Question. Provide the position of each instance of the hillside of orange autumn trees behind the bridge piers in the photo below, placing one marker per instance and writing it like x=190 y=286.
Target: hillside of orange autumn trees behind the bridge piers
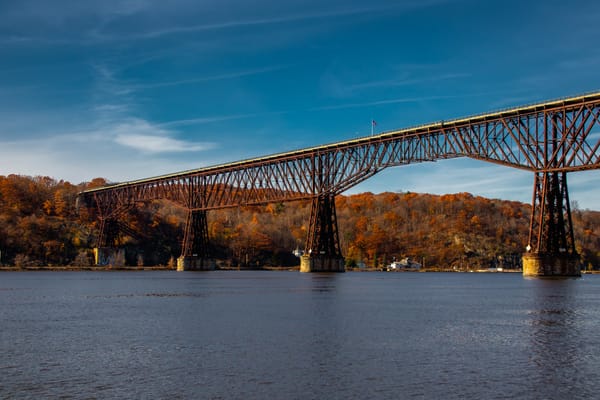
x=41 y=225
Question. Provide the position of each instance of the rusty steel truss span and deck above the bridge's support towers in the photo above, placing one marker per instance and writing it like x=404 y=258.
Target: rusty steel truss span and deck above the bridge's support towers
x=556 y=136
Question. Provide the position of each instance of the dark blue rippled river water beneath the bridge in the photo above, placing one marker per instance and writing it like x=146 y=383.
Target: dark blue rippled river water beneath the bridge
x=288 y=335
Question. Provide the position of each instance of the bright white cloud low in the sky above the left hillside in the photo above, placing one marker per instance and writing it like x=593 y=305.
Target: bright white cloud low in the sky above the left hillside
x=116 y=150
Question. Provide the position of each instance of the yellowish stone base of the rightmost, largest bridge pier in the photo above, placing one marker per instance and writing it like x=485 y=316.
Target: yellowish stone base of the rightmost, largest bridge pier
x=550 y=265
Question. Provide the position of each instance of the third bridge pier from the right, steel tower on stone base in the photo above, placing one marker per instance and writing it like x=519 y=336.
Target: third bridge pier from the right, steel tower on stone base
x=195 y=252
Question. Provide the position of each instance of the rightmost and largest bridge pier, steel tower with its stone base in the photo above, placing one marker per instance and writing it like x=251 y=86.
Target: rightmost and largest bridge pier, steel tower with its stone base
x=551 y=249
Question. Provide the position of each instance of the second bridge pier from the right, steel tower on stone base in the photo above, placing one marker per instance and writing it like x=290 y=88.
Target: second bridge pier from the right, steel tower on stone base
x=323 y=245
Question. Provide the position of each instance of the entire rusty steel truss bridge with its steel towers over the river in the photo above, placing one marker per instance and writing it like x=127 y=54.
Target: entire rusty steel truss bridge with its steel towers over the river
x=549 y=139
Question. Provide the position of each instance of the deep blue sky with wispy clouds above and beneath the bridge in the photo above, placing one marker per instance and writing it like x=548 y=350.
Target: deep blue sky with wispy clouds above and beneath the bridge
x=132 y=89
